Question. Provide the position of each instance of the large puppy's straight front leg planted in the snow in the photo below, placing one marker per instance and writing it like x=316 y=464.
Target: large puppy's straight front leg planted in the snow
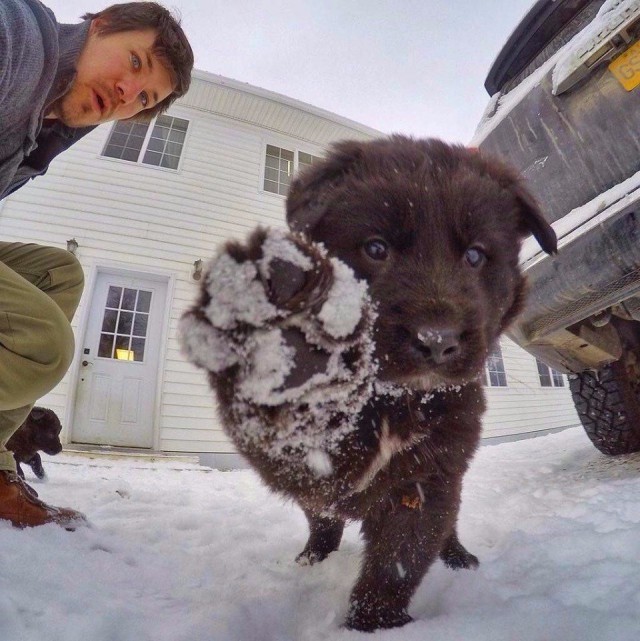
x=401 y=543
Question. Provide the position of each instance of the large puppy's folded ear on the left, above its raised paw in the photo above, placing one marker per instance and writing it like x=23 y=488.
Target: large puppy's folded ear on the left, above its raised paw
x=311 y=192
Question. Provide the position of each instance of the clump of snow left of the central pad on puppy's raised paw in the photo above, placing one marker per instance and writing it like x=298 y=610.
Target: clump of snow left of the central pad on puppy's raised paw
x=271 y=360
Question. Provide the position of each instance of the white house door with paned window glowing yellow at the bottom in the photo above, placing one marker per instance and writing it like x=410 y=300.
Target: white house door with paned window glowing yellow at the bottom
x=115 y=398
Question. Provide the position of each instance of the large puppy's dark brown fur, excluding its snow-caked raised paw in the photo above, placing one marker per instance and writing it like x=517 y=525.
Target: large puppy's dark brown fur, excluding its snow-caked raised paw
x=435 y=232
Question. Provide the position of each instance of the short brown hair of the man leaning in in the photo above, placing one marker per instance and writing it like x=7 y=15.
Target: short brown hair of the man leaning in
x=171 y=46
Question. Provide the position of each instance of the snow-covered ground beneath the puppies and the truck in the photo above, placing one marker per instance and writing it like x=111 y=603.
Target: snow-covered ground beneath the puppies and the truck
x=178 y=552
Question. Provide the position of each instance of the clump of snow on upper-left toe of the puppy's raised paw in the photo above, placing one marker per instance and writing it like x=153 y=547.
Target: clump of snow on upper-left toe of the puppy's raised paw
x=236 y=294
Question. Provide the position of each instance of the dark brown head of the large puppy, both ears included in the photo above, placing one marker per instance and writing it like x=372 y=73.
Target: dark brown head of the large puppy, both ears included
x=435 y=230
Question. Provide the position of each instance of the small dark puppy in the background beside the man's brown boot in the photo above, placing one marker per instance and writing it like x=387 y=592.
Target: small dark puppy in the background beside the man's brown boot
x=40 y=431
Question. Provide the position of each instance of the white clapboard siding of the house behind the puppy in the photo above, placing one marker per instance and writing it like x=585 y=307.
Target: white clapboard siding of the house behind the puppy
x=152 y=220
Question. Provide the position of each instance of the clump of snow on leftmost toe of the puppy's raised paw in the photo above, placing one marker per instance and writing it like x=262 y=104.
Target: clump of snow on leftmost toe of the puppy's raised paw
x=204 y=345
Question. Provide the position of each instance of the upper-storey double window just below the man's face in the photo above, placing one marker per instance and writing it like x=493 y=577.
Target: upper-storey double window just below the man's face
x=162 y=143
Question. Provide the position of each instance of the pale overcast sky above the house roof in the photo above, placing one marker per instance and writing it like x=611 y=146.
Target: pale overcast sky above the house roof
x=400 y=66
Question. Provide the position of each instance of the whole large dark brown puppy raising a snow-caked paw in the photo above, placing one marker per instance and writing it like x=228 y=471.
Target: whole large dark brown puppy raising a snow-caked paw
x=374 y=419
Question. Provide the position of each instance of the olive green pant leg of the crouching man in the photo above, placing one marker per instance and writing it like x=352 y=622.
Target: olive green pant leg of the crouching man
x=40 y=288
